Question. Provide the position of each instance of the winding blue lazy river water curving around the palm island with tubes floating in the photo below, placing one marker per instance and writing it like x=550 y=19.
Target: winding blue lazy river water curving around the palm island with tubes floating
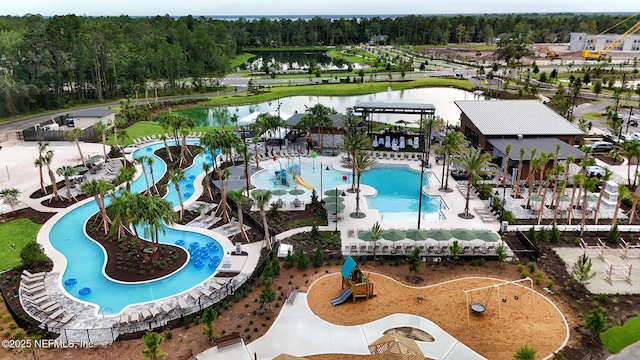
x=85 y=259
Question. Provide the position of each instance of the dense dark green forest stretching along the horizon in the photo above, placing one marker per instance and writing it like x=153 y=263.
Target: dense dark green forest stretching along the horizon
x=59 y=61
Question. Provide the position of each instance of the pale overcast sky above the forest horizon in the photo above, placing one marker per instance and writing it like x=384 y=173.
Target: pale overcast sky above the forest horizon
x=306 y=7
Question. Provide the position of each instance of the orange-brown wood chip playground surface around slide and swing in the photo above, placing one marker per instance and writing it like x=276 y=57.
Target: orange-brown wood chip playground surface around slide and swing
x=492 y=335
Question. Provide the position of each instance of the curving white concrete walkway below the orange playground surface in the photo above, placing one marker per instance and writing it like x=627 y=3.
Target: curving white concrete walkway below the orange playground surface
x=300 y=332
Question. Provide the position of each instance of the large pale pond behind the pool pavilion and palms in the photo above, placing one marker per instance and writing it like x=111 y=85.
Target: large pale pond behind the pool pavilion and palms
x=441 y=98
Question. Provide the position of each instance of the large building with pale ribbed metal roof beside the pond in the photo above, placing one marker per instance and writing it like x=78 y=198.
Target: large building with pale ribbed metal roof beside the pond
x=525 y=124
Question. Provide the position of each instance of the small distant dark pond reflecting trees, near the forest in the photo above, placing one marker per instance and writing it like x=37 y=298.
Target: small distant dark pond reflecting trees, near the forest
x=294 y=61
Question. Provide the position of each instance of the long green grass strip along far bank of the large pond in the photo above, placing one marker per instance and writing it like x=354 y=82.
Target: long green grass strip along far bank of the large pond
x=334 y=90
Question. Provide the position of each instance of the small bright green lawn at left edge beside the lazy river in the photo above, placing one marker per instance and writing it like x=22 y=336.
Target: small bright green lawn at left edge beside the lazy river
x=18 y=232
